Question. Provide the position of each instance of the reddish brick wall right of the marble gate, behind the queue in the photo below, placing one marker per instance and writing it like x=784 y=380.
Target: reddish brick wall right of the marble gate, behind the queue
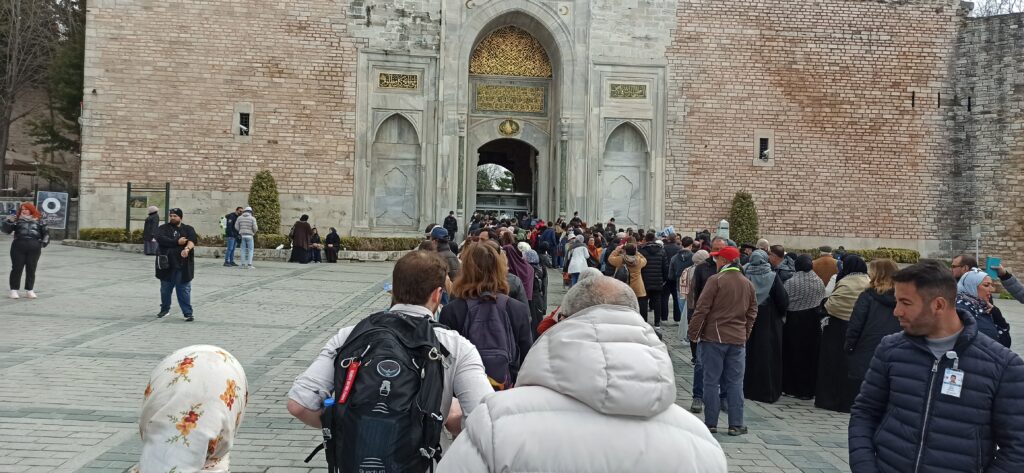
x=849 y=92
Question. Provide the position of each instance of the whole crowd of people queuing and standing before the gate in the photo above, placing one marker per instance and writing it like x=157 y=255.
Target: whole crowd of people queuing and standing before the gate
x=466 y=369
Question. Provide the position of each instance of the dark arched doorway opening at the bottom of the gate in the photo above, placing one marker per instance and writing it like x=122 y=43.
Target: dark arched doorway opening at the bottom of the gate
x=494 y=194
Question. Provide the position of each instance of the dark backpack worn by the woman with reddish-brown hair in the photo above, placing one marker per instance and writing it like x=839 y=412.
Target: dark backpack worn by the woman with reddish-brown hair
x=488 y=327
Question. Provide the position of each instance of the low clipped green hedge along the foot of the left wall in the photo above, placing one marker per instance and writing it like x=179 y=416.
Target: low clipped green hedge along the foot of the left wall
x=266 y=241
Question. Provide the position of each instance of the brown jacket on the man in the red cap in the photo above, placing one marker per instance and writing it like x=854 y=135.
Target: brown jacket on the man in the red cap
x=727 y=310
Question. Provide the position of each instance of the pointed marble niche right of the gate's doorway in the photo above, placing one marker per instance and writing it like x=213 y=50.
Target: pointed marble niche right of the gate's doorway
x=624 y=177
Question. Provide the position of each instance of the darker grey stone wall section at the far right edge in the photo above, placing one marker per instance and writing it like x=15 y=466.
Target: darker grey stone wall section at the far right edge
x=989 y=140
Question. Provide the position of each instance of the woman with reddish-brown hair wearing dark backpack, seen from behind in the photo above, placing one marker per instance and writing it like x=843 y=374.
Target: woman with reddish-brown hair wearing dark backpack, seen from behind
x=483 y=312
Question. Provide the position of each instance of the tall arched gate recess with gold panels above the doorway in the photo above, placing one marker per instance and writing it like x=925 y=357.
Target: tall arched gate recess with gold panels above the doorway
x=510 y=118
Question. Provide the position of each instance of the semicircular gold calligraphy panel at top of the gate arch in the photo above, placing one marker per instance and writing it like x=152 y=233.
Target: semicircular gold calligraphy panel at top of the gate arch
x=510 y=52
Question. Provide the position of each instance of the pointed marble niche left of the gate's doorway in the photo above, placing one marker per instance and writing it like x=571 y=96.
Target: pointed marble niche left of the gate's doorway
x=395 y=175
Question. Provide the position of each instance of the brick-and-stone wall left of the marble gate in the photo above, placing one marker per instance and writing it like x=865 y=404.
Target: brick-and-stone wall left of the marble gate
x=164 y=83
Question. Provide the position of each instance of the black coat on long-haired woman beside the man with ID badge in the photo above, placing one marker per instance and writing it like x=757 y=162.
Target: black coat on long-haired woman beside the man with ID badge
x=873 y=320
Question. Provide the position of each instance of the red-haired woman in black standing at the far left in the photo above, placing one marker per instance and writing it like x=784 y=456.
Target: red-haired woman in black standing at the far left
x=30 y=239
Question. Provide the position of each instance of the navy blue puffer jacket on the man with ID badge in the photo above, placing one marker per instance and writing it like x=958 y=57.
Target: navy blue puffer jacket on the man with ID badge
x=901 y=401
